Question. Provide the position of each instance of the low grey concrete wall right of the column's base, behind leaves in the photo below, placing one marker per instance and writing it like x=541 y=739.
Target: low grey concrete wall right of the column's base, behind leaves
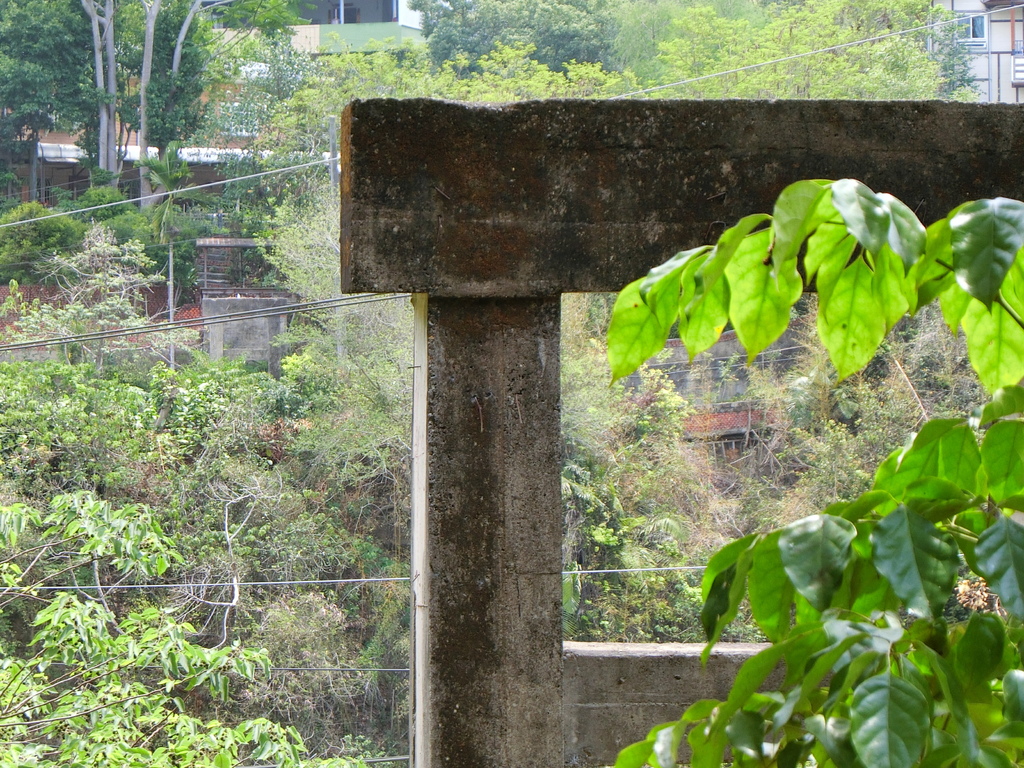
x=616 y=693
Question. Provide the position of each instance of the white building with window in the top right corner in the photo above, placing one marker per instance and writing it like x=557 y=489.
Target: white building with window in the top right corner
x=994 y=32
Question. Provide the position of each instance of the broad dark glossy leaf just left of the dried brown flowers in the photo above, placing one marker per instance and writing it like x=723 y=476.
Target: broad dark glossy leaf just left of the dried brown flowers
x=919 y=561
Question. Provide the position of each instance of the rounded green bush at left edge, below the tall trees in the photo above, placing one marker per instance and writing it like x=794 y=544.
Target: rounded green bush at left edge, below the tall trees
x=25 y=249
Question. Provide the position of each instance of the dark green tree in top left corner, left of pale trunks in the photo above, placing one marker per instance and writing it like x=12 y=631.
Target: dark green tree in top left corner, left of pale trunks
x=42 y=76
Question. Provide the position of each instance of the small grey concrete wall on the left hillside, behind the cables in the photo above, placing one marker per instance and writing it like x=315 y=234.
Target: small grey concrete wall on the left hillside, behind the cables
x=250 y=339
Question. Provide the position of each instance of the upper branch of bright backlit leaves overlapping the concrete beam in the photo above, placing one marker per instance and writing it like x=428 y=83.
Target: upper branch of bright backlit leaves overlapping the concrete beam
x=871 y=262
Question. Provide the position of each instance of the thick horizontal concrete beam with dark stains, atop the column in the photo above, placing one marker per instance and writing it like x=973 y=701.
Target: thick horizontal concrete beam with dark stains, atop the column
x=550 y=197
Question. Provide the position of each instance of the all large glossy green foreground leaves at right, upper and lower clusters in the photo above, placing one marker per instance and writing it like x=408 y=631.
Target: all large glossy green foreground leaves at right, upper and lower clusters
x=854 y=600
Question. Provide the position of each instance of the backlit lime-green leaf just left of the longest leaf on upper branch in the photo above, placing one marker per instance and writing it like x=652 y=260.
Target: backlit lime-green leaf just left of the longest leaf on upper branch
x=759 y=305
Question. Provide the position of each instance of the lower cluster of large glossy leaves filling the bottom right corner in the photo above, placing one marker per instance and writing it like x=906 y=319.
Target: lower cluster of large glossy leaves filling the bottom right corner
x=906 y=688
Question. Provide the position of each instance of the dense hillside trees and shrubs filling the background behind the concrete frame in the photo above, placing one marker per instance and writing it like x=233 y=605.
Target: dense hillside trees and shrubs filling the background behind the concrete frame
x=237 y=482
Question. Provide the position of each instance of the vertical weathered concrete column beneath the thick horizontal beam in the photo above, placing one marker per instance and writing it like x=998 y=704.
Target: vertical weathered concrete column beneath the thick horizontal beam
x=489 y=679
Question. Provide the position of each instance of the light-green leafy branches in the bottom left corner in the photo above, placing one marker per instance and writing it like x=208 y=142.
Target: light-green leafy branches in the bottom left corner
x=98 y=688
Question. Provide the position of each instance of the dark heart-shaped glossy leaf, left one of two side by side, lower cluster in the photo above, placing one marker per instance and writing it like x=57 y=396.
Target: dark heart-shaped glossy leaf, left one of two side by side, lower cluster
x=816 y=552
